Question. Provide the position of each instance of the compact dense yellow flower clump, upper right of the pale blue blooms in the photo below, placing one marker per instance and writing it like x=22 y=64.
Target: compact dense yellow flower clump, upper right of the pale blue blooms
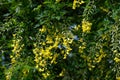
x=86 y=26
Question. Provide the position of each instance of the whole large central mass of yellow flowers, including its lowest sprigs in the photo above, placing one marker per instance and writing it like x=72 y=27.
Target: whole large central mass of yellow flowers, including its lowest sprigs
x=45 y=51
